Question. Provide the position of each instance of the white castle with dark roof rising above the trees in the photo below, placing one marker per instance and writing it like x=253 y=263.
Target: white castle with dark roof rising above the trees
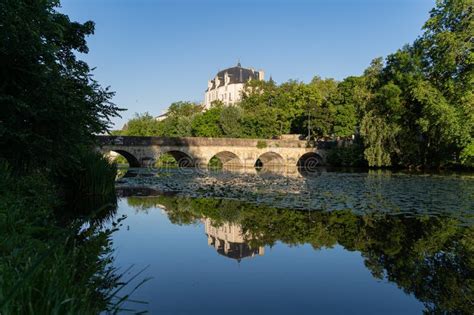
x=228 y=84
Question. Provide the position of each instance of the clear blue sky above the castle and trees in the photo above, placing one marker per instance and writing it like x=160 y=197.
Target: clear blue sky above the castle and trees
x=154 y=52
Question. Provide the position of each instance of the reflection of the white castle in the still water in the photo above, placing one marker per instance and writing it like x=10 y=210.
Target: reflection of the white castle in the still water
x=228 y=240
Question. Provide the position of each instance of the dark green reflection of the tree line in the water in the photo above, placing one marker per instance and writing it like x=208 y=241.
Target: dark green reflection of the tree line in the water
x=430 y=257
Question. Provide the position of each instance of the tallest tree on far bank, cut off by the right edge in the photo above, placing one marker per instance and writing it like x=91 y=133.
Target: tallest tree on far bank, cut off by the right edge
x=448 y=57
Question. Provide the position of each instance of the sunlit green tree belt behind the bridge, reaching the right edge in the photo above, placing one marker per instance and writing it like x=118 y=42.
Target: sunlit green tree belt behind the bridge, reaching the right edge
x=413 y=109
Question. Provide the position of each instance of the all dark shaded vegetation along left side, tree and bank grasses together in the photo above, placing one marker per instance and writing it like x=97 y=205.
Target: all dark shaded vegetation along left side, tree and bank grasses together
x=55 y=193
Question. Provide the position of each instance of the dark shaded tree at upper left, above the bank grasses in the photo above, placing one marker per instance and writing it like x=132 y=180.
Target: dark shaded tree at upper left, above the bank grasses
x=49 y=99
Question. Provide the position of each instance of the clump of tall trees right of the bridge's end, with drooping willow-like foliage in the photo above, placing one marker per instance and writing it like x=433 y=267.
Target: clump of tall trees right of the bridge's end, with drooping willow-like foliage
x=420 y=113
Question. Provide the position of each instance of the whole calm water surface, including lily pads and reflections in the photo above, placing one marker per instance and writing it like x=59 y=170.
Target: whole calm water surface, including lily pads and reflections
x=325 y=243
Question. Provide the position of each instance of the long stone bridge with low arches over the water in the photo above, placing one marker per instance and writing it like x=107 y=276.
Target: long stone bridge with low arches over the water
x=196 y=151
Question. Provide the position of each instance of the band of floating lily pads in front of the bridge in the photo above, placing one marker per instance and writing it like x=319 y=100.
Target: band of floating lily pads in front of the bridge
x=362 y=192
